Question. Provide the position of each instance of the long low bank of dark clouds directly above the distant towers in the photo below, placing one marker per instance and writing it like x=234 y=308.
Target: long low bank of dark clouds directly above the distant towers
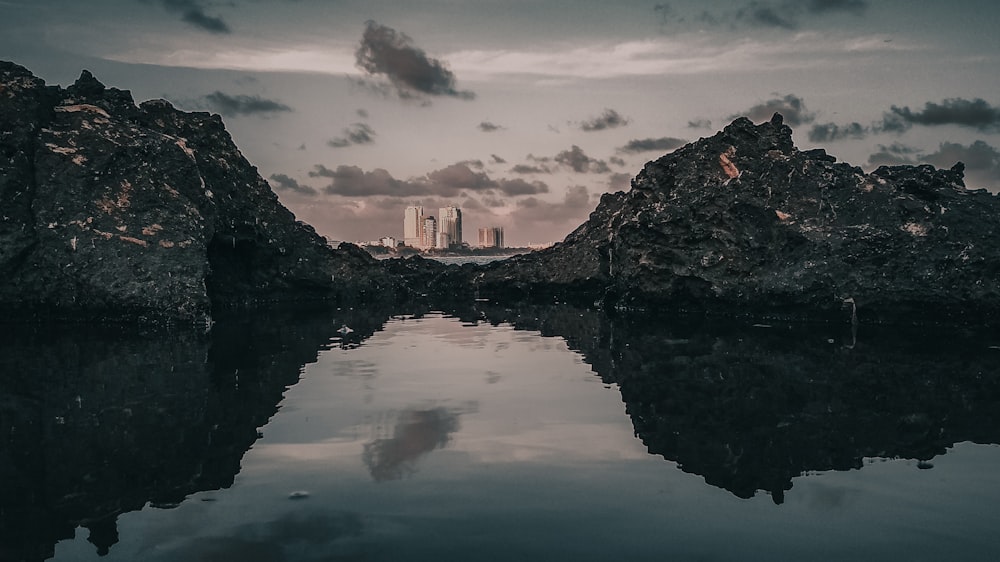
x=450 y=181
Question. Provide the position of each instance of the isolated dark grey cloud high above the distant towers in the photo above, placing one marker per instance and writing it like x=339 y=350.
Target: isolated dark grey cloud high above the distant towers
x=386 y=52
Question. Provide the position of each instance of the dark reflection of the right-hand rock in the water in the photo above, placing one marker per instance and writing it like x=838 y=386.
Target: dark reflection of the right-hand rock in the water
x=751 y=408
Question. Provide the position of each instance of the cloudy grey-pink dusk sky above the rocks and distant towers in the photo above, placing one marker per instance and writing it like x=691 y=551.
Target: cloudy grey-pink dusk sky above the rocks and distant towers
x=522 y=113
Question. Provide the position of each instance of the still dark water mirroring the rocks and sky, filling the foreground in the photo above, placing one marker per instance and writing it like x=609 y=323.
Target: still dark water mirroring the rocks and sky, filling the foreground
x=497 y=434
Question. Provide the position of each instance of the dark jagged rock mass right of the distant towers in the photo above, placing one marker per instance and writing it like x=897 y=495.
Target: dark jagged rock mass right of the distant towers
x=745 y=223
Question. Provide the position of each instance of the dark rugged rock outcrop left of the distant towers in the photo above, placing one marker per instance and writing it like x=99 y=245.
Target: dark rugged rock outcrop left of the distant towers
x=112 y=210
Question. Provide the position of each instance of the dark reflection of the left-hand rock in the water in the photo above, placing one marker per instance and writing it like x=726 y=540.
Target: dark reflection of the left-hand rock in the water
x=97 y=422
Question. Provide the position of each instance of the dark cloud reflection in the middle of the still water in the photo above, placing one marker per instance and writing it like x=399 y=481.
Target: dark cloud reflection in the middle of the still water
x=415 y=433
